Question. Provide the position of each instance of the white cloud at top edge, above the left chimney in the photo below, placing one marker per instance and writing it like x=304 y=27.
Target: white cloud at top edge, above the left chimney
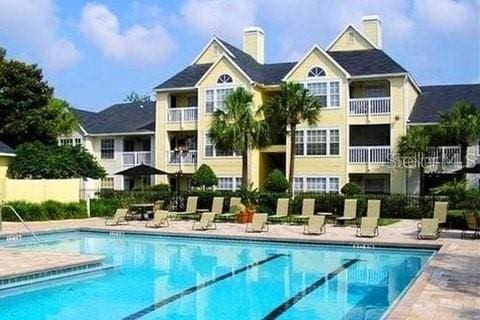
x=225 y=18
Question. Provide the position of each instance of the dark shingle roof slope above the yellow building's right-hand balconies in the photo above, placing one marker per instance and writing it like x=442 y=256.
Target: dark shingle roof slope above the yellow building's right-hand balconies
x=366 y=62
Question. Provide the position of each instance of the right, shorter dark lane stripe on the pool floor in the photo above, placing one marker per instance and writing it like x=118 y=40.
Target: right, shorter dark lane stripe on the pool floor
x=279 y=310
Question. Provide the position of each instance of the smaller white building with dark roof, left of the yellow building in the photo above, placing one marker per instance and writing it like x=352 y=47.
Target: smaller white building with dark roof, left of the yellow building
x=120 y=137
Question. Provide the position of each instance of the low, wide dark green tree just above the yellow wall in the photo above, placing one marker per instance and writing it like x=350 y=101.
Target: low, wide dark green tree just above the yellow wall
x=39 y=161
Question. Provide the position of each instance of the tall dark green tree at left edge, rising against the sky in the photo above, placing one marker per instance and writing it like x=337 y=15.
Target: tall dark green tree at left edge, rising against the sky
x=27 y=110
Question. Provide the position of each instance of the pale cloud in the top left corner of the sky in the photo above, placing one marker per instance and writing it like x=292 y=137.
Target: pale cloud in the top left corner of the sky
x=35 y=23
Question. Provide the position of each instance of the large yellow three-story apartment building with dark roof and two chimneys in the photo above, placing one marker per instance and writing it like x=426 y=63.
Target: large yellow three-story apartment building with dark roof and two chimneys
x=370 y=102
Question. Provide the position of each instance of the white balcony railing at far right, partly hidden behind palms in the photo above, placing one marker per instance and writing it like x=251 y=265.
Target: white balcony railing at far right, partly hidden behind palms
x=445 y=158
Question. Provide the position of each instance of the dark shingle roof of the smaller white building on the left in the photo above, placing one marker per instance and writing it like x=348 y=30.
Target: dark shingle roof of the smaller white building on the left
x=123 y=117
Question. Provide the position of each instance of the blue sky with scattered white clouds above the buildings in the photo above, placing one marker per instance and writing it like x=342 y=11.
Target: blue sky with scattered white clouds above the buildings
x=95 y=52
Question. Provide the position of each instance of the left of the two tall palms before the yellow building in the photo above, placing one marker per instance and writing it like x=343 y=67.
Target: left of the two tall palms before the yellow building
x=237 y=127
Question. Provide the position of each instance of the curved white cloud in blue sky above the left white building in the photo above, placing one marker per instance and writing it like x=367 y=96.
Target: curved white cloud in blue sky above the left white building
x=137 y=45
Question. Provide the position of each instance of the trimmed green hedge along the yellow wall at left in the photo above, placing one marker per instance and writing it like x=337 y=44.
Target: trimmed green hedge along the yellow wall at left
x=49 y=210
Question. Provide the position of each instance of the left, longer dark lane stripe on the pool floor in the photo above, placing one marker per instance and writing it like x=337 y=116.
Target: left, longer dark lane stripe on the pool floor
x=205 y=284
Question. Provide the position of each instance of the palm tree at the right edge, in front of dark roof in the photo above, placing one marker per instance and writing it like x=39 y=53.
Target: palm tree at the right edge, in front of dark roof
x=462 y=123
